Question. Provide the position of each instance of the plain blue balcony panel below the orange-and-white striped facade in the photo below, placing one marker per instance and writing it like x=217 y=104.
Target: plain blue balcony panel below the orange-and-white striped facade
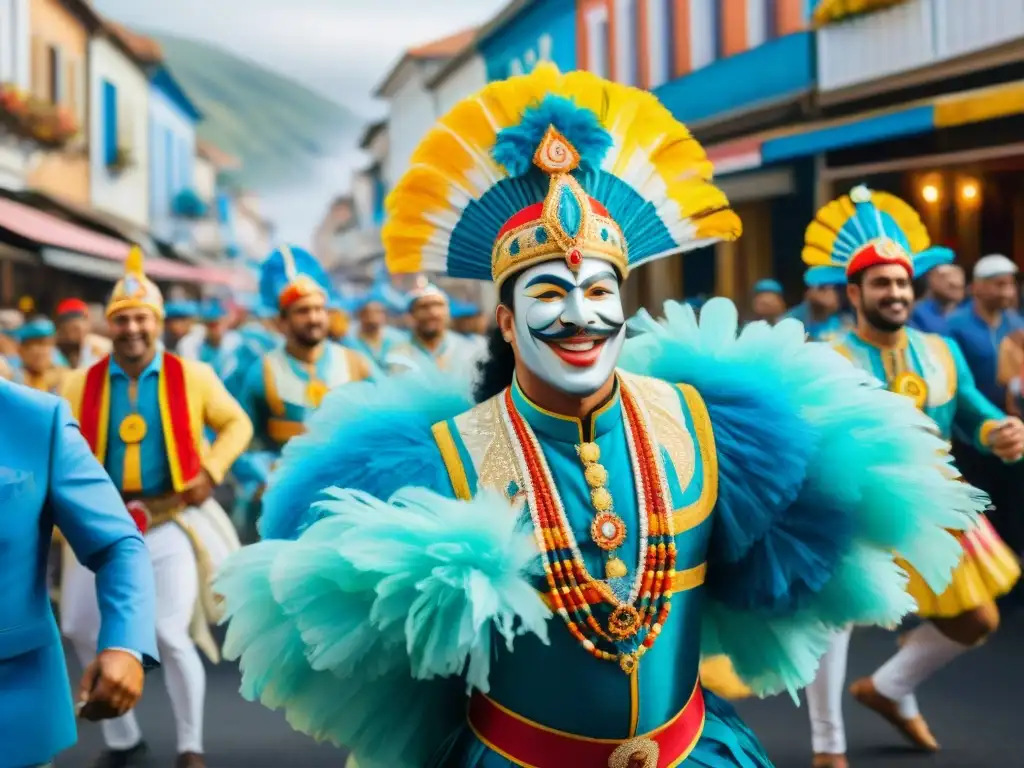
x=779 y=71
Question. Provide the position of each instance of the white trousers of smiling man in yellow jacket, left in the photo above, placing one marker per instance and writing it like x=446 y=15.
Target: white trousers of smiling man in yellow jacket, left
x=178 y=589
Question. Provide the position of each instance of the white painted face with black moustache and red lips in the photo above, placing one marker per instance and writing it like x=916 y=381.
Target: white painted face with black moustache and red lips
x=570 y=327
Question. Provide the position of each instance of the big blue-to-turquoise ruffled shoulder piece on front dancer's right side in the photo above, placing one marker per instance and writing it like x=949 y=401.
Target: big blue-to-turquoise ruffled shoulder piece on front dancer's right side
x=823 y=475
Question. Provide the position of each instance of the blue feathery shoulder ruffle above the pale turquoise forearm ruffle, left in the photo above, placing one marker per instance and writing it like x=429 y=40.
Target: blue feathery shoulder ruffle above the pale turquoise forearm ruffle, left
x=373 y=437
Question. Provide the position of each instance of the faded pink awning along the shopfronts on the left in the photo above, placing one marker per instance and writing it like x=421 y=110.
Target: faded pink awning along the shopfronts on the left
x=67 y=240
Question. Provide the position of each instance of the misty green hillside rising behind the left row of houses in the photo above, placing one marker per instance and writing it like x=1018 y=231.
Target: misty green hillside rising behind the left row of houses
x=278 y=127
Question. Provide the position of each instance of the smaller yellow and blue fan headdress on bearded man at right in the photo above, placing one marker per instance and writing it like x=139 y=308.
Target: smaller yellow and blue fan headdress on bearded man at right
x=866 y=229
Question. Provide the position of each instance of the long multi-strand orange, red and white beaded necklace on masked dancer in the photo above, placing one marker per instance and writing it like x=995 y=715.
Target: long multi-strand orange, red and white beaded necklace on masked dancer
x=634 y=623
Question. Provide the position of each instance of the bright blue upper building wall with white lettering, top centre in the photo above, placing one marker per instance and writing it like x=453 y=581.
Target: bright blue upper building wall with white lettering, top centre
x=546 y=29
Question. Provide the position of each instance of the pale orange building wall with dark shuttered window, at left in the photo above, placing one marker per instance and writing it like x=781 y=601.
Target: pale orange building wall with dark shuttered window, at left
x=64 y=174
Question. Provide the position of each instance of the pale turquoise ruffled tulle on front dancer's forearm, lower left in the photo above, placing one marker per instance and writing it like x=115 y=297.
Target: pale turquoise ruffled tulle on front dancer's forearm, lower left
x=378 y=607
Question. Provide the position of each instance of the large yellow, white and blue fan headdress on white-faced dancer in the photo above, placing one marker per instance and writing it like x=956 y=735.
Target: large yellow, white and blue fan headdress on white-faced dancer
x=547 y=166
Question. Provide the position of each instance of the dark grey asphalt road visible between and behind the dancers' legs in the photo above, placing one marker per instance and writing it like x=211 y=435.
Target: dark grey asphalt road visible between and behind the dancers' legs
x=972 y=707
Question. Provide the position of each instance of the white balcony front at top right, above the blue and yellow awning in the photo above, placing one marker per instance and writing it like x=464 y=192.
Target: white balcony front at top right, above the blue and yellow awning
x=912 y=36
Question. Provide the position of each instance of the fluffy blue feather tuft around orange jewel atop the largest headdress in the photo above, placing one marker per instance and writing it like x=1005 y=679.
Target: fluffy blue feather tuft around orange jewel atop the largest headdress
x=516 y=147
